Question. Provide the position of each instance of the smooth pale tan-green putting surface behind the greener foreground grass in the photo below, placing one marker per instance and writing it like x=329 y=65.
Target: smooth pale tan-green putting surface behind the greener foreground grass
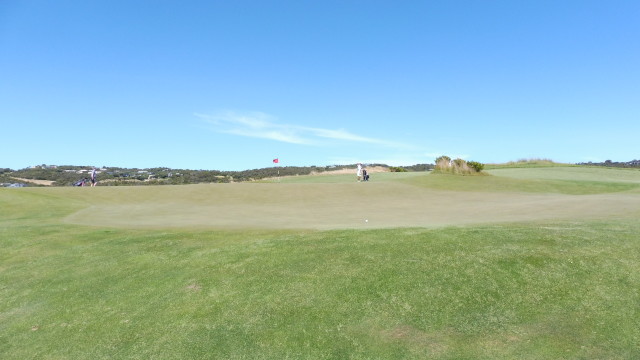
x=338 y=202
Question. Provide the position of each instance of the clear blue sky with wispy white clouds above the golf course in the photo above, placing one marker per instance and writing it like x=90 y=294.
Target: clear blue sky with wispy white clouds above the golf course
x=231 y=85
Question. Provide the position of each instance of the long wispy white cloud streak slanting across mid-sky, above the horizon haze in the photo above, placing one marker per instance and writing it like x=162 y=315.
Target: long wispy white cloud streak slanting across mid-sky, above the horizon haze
x=264 y=126
